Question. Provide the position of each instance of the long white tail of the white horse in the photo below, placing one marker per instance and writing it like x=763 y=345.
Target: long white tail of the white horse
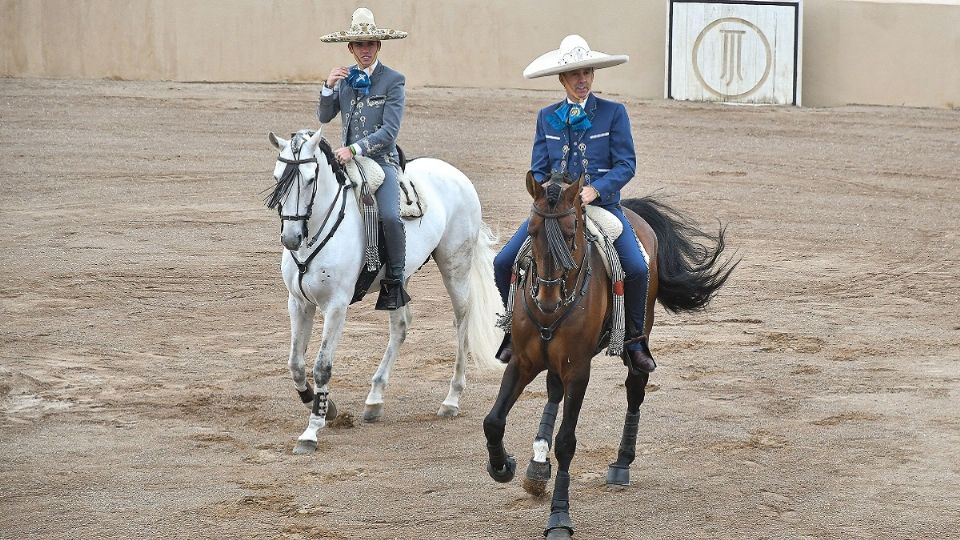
x=484 y=304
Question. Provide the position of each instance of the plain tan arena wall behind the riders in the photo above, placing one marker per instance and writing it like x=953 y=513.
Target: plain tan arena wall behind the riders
x=854 y=51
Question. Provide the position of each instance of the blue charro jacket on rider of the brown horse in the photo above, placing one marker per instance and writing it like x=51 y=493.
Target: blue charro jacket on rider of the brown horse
x=604 y=152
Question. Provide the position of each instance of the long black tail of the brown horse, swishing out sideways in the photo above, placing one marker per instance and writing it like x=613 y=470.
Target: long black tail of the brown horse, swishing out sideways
x=688 y=259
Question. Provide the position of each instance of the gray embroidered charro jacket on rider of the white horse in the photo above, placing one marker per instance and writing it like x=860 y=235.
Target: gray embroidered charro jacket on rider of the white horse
x=372 y=121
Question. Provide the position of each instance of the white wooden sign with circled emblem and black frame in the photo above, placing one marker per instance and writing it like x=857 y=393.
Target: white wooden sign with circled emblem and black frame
x=736 y=51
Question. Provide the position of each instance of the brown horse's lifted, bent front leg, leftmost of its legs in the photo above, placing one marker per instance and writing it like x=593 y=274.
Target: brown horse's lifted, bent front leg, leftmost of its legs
x=501 y=465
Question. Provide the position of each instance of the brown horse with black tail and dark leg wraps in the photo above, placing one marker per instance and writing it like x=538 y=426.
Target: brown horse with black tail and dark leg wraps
x=562 y=308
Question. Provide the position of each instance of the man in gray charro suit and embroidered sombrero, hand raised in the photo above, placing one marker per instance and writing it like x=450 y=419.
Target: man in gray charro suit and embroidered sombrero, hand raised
x=369 y=97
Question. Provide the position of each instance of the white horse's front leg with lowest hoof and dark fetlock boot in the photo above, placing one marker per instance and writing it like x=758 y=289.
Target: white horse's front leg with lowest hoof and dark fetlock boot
x=333 y=321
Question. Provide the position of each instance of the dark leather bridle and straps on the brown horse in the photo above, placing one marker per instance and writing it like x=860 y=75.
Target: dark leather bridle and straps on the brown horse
x=560 y=251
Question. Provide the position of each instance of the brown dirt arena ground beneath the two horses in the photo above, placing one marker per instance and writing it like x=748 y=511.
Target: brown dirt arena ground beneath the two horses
x=144 y=391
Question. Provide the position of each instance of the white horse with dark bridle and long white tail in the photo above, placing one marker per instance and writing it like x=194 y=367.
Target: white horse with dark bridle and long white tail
x=323 y=233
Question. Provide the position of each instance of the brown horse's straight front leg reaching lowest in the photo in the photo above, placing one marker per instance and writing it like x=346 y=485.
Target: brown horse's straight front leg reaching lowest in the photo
x=559 y=525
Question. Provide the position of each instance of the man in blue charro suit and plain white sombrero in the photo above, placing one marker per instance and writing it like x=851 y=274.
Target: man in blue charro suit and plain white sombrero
x=586 y=135
